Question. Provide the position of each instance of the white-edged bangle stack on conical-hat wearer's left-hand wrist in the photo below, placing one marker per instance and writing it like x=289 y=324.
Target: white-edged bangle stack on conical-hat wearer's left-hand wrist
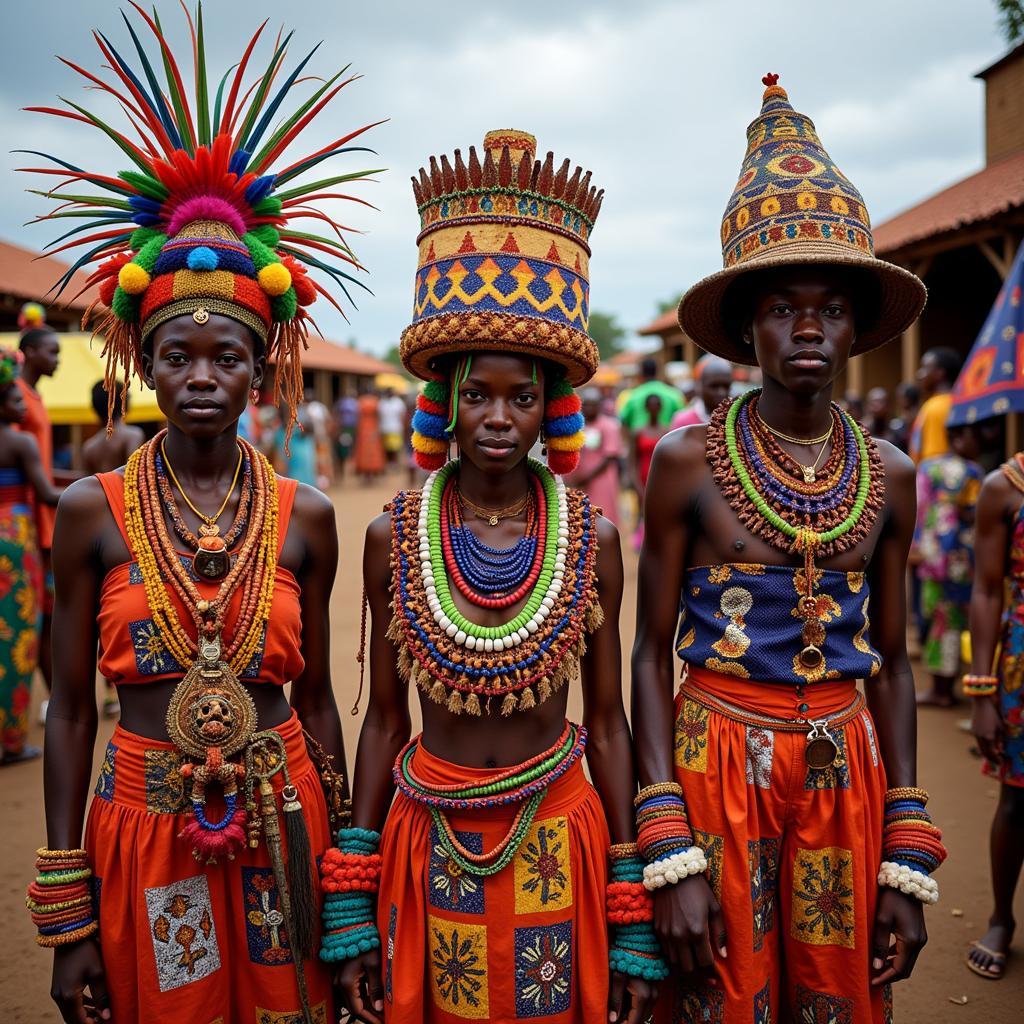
x=664 y=837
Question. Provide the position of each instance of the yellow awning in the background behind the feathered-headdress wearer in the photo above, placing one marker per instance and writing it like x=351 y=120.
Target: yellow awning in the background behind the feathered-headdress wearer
x=68 y=394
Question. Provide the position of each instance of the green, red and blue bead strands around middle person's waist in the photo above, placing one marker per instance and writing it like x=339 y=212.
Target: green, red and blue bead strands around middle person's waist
x=525 y=785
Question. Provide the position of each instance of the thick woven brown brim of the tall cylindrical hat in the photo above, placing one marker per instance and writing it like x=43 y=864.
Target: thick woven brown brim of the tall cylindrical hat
x=428 y=344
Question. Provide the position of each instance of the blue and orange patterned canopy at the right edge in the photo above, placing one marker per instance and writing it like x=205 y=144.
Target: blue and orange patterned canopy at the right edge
x=992 y=382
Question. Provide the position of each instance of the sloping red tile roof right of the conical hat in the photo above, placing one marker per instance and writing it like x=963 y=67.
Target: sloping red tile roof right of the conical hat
x=997 y=190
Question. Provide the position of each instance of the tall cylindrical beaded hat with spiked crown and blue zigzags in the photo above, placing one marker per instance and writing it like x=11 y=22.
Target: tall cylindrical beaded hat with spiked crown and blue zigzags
x=504 y=251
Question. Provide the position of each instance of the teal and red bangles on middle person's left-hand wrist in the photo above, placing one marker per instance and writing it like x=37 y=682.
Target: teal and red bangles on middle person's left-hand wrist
x=351 y=876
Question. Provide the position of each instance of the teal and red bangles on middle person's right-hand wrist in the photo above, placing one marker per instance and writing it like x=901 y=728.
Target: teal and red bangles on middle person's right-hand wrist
x=634 y=950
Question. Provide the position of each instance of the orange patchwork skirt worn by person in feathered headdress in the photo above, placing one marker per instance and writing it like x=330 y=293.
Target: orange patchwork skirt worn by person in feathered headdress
x=183 y=942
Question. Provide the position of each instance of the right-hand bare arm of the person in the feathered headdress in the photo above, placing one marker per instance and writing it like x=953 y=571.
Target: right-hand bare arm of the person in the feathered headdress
x=313 y=695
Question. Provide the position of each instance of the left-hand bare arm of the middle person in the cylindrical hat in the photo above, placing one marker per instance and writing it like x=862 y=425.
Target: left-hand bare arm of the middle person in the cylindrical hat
x=388 y=726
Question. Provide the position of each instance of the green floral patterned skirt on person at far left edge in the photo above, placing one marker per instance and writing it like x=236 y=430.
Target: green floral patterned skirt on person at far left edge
x=21 y=583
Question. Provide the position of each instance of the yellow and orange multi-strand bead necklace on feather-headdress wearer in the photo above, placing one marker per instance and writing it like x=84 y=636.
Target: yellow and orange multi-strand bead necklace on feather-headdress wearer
x=147 y=494
